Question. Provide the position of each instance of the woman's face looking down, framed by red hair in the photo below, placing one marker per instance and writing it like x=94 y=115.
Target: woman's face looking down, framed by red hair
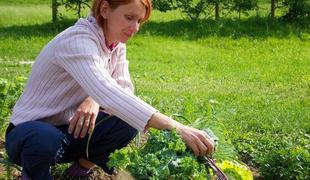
x=122 y=22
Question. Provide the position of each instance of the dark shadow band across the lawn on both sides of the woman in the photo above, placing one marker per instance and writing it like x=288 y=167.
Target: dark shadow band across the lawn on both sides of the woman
x=257 y=28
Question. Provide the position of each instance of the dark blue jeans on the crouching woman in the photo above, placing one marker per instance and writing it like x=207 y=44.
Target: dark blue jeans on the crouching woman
x=36 y=145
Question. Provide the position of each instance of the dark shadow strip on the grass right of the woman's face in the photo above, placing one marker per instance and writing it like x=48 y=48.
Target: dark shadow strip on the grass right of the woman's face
x=258 y=28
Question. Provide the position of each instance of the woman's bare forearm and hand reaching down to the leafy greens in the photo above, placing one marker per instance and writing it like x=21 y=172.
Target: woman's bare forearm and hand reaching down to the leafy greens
x=197 y=140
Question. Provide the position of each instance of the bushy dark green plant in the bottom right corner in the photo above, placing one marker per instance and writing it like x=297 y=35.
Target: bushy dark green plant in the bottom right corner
x=287 y=159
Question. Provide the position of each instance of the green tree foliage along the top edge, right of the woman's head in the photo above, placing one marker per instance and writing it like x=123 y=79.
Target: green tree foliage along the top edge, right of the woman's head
x=195 y=9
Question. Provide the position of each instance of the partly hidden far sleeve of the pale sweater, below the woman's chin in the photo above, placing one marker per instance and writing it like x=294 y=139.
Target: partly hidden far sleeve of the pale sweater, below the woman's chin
x=121 y=71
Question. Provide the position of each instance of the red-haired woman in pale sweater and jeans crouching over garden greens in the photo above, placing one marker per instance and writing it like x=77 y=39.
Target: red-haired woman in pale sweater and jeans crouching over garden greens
x=80 y=70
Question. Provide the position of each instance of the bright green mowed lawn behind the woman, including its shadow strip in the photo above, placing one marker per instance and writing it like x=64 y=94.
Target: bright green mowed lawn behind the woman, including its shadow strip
x=238 y=77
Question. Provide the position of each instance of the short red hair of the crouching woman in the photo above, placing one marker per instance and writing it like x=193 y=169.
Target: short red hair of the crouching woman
x=96 y=7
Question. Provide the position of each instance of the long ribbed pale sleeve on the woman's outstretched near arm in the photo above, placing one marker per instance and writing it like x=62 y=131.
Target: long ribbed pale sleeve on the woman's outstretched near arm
x=78 y=54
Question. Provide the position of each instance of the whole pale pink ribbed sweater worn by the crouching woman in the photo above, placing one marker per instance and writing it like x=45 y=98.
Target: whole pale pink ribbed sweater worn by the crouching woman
x=74 y=65
